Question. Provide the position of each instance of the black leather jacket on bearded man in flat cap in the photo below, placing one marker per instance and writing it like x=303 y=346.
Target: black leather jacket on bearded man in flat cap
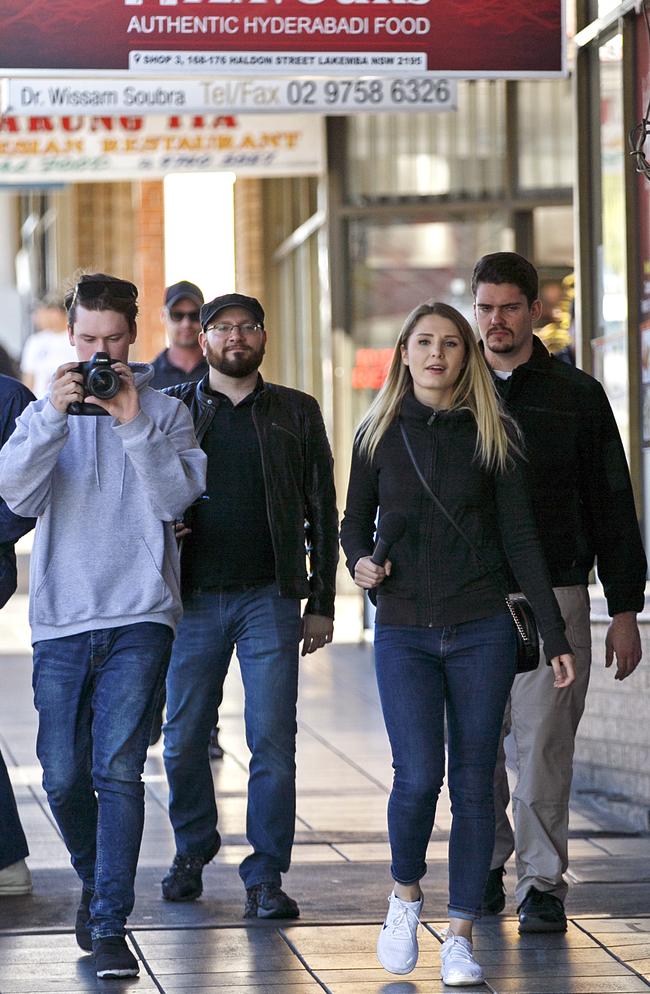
x=299 y=484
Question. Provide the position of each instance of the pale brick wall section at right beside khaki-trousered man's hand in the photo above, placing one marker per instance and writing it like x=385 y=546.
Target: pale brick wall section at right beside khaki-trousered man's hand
x=612 y=759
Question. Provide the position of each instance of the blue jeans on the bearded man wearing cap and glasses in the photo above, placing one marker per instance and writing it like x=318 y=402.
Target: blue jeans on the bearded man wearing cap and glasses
x=265 y=628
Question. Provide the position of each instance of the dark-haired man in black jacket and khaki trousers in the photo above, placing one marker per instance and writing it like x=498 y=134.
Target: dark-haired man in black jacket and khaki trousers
x=584 y=507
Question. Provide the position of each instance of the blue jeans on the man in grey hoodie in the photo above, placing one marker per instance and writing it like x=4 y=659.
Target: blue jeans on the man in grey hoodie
x=95 y=693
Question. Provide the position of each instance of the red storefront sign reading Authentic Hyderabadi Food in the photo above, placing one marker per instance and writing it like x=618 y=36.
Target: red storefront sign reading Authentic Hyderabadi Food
x=455 y=37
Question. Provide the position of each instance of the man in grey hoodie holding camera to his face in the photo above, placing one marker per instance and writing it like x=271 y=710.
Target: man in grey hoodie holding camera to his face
x=106 y=464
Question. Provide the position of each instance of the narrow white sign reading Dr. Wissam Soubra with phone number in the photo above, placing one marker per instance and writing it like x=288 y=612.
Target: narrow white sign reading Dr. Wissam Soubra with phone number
x=227 y=96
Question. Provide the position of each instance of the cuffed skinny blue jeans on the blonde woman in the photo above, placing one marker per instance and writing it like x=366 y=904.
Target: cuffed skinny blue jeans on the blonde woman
x=466 y=670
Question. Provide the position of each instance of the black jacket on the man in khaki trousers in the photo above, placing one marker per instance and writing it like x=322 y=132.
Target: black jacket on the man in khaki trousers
x=579 y=478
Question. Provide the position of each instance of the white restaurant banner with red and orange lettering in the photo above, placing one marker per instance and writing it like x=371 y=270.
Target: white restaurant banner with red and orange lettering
x=74 y=148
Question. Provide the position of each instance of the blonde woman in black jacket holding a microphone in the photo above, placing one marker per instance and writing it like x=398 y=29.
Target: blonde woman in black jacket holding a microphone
x=444 y=641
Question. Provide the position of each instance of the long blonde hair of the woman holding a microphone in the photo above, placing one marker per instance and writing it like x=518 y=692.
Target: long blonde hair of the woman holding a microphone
x=474 y=391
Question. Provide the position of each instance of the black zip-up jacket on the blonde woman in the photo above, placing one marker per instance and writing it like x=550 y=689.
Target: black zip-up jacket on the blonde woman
x=436 y=579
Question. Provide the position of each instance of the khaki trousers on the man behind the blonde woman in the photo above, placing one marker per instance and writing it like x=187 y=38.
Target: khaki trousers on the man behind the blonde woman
x=542 y=723
